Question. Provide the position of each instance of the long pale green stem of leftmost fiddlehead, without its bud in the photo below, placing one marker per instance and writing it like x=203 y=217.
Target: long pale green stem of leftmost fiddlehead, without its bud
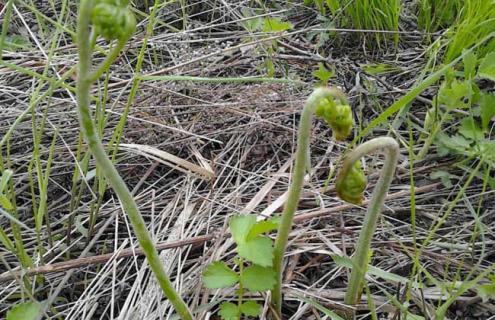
x=107 y=167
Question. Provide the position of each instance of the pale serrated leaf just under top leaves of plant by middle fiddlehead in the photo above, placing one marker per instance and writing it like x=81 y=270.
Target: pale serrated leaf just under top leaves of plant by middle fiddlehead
x=258 y=250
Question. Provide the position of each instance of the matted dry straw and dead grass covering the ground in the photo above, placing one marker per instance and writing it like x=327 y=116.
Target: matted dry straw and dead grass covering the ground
x=235 y=141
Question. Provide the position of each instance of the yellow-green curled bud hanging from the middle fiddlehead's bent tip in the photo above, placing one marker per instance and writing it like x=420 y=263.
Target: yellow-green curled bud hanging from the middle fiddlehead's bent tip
x=338 y=116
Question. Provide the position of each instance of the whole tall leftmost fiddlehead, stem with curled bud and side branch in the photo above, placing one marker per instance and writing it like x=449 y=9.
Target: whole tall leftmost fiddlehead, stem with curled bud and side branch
x=114 y=21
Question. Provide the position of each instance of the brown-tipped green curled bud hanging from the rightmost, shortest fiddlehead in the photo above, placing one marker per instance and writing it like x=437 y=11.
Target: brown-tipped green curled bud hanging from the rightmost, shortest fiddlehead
x=350 y=184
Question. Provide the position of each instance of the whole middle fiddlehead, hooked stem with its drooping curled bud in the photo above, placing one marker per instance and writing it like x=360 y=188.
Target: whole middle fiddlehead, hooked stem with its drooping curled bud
x=330 y=104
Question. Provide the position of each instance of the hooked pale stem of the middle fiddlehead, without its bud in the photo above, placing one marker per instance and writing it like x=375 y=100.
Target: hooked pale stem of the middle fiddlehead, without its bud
x=296 y=185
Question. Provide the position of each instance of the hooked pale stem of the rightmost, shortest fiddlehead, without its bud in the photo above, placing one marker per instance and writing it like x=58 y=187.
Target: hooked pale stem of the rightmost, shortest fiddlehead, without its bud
x=361 y=257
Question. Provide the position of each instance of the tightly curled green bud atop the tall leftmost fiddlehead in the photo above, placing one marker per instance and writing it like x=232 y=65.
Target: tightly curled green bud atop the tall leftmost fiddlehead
x=113 y=20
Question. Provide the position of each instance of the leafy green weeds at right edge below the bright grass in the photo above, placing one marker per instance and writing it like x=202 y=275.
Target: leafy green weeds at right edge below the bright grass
x=466 y=108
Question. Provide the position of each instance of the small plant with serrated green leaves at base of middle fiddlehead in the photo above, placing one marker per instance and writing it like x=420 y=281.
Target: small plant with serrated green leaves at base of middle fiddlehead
x=253 y=266
